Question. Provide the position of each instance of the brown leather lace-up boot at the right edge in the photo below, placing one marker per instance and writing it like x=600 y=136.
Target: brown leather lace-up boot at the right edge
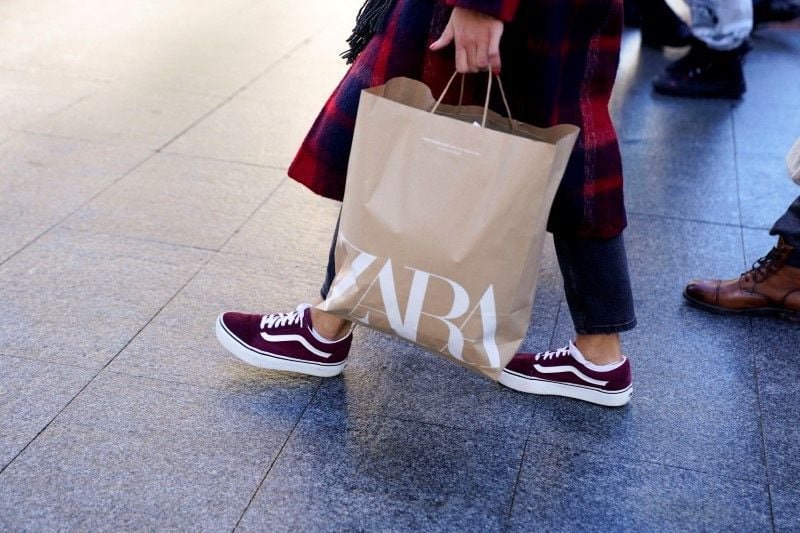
x=771 y=287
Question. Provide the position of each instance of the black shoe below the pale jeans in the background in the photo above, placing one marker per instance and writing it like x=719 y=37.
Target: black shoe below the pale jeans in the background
x=705 y=73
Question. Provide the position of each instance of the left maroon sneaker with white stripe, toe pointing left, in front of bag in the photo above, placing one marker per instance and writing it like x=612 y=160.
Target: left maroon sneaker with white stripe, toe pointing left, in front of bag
x=283 y=341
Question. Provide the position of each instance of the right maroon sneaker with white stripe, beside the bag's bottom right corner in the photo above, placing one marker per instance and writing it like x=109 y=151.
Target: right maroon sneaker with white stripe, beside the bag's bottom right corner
x=565 y=372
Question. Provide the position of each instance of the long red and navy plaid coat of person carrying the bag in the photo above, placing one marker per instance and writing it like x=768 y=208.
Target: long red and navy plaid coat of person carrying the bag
x=559 y=63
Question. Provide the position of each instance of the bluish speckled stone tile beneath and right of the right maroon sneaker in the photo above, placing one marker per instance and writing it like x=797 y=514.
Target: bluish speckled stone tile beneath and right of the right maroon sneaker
x=694 y=404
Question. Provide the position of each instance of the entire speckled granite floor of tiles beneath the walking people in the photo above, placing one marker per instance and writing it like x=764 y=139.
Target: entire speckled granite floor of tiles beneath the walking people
x=143 y=189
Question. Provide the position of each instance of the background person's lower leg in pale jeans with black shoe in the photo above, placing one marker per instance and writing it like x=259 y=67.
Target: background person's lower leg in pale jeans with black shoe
x=713 y=66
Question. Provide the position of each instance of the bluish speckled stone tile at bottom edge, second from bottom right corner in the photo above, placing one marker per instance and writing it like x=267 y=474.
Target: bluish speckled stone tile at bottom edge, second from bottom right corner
x=573 y=490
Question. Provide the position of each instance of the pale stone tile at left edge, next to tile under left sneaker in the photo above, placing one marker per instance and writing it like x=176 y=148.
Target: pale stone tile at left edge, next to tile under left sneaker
x=79 y=298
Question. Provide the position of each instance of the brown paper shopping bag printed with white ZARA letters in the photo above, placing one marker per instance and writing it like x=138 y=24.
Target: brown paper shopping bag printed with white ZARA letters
x=443 y=223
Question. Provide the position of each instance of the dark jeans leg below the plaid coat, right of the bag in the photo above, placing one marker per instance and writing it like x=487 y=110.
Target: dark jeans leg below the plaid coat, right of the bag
x=597 y=284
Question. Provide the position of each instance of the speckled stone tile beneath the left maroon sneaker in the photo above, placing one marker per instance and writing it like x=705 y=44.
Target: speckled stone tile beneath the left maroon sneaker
x=180 y=345
